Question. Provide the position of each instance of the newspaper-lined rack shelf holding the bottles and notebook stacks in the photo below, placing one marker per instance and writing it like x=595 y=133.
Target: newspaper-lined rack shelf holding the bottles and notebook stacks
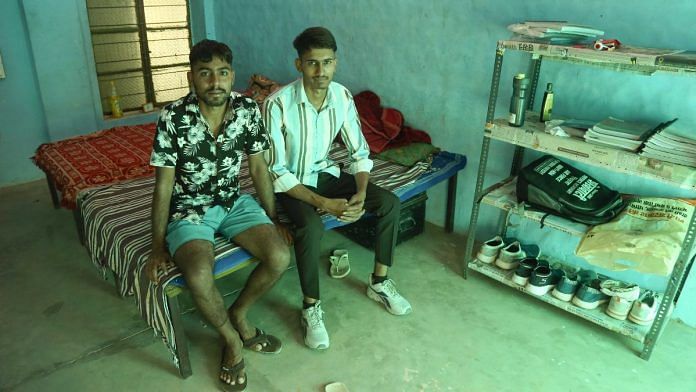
x=532 y=136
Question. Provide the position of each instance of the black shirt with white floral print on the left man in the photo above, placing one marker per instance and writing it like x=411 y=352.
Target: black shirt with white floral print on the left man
x=207 y=170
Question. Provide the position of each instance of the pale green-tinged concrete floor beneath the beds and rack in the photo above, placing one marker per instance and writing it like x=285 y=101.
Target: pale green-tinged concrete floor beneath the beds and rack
x=64 y=329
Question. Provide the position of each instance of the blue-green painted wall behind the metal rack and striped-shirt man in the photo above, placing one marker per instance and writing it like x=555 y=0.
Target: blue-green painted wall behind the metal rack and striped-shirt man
x=433 y=60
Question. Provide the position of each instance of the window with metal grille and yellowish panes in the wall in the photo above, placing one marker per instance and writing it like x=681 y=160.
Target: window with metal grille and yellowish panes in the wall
x=141 y=46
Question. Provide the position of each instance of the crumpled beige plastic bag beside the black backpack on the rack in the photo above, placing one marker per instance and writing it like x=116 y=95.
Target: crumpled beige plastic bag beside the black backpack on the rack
x=646 y=237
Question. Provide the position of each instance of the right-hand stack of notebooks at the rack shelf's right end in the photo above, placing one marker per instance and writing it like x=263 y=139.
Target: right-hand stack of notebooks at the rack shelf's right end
x=672 y=145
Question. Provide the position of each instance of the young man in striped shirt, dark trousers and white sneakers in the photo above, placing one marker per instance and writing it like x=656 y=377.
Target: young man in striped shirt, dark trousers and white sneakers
x=303 y=119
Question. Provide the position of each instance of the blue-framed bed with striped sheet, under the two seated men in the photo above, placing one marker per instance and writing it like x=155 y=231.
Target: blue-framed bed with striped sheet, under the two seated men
x=116 y=224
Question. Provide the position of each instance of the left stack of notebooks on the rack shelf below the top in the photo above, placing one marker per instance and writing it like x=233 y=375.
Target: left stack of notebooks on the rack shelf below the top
x=624 y=135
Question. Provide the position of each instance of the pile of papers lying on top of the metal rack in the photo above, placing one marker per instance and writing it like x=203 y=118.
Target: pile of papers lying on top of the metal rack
x=555 y=32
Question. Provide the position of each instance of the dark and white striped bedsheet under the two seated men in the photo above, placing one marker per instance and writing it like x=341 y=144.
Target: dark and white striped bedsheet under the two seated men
x=116 y=221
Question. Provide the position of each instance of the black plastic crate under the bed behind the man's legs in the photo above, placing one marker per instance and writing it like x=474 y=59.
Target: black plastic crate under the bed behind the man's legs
x=411 y=222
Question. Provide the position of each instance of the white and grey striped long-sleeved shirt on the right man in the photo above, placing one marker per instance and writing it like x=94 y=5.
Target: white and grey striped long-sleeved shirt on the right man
x=301 y=137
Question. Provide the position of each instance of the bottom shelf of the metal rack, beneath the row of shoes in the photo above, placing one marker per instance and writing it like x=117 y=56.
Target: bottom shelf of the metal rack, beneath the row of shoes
x=597 y=316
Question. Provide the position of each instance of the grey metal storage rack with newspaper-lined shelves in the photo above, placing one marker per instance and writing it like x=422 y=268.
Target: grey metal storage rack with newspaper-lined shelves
x=531 y=136
